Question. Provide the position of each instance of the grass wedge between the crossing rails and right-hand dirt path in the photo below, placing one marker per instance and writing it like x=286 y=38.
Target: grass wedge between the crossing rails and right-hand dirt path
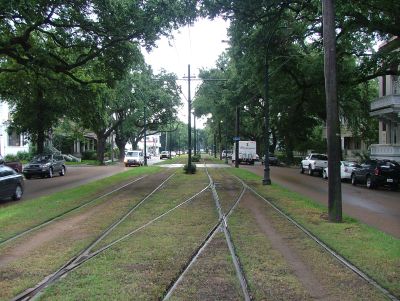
x=269 y=277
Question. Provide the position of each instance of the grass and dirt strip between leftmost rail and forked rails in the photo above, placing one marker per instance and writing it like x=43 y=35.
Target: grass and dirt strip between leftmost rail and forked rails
x=26 y=261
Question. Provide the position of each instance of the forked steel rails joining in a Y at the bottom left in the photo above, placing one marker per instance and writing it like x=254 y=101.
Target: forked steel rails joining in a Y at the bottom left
x=85 y=255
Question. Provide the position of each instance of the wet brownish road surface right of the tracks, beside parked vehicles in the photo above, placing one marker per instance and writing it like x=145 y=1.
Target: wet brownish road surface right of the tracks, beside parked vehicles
x=379 y=208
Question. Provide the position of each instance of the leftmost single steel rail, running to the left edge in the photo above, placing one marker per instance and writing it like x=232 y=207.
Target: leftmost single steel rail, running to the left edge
x=53 y=219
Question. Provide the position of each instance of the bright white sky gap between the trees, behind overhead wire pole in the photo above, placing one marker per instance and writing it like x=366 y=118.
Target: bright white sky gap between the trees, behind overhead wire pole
x=198 y=45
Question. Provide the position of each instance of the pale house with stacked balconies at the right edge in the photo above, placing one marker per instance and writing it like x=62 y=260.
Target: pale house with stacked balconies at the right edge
x=387 y=110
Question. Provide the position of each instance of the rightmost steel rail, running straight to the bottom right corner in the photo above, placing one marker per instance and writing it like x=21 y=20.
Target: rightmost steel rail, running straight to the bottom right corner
x=341 y=259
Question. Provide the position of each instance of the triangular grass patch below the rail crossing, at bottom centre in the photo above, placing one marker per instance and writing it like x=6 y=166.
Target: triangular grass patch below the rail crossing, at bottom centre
x=212 y=276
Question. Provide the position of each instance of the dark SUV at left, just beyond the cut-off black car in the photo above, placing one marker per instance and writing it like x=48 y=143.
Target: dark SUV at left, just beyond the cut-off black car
x=45 y=165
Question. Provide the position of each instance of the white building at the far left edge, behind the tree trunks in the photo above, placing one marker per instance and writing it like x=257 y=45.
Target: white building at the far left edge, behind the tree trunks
x=10 y=143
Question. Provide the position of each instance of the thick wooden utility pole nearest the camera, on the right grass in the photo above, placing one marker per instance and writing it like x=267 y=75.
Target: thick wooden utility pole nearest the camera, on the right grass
x=332 y=113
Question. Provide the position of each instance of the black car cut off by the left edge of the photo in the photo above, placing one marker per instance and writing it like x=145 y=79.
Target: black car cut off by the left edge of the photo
x=11 y=183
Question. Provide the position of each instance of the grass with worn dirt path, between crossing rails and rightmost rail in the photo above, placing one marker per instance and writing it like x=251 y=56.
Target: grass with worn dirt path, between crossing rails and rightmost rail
x=290 y=254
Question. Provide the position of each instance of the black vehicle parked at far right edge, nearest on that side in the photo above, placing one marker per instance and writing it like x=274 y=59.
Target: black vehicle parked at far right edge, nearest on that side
x=375 y=173
